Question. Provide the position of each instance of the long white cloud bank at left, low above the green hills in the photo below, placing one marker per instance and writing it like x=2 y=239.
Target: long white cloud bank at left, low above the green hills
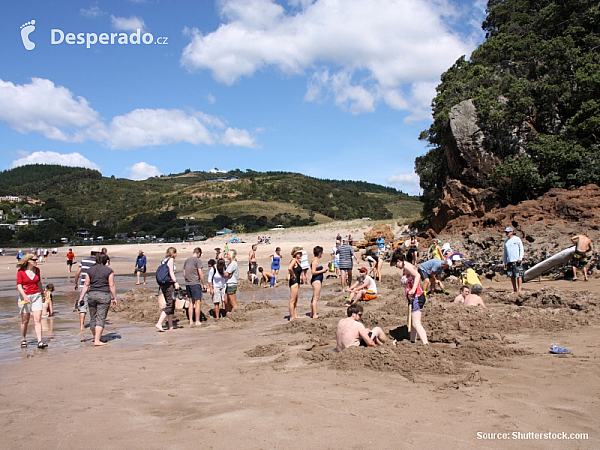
x=57 y=114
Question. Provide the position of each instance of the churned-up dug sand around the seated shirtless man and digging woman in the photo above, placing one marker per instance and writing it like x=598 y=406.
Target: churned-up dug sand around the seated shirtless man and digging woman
x=459 y=335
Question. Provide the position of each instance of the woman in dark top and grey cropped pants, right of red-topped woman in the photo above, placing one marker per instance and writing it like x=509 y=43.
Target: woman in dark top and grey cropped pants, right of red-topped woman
x=100 y=286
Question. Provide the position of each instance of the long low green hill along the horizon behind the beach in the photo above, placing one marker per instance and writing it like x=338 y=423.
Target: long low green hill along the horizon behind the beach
x=77 y=198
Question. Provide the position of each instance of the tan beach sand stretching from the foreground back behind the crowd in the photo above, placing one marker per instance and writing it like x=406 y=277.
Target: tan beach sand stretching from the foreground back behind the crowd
x=253 y=380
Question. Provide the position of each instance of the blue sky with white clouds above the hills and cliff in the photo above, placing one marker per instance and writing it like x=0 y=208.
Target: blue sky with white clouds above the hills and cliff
x=336 y=89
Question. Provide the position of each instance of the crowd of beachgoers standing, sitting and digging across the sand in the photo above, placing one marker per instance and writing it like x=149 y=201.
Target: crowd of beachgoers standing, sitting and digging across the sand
x=94 y=279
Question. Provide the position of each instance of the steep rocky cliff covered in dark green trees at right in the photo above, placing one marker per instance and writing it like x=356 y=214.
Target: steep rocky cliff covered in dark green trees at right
x=529 y=98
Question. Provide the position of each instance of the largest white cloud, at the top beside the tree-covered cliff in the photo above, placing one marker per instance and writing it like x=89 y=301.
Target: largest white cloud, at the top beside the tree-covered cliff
x=360 y=52
